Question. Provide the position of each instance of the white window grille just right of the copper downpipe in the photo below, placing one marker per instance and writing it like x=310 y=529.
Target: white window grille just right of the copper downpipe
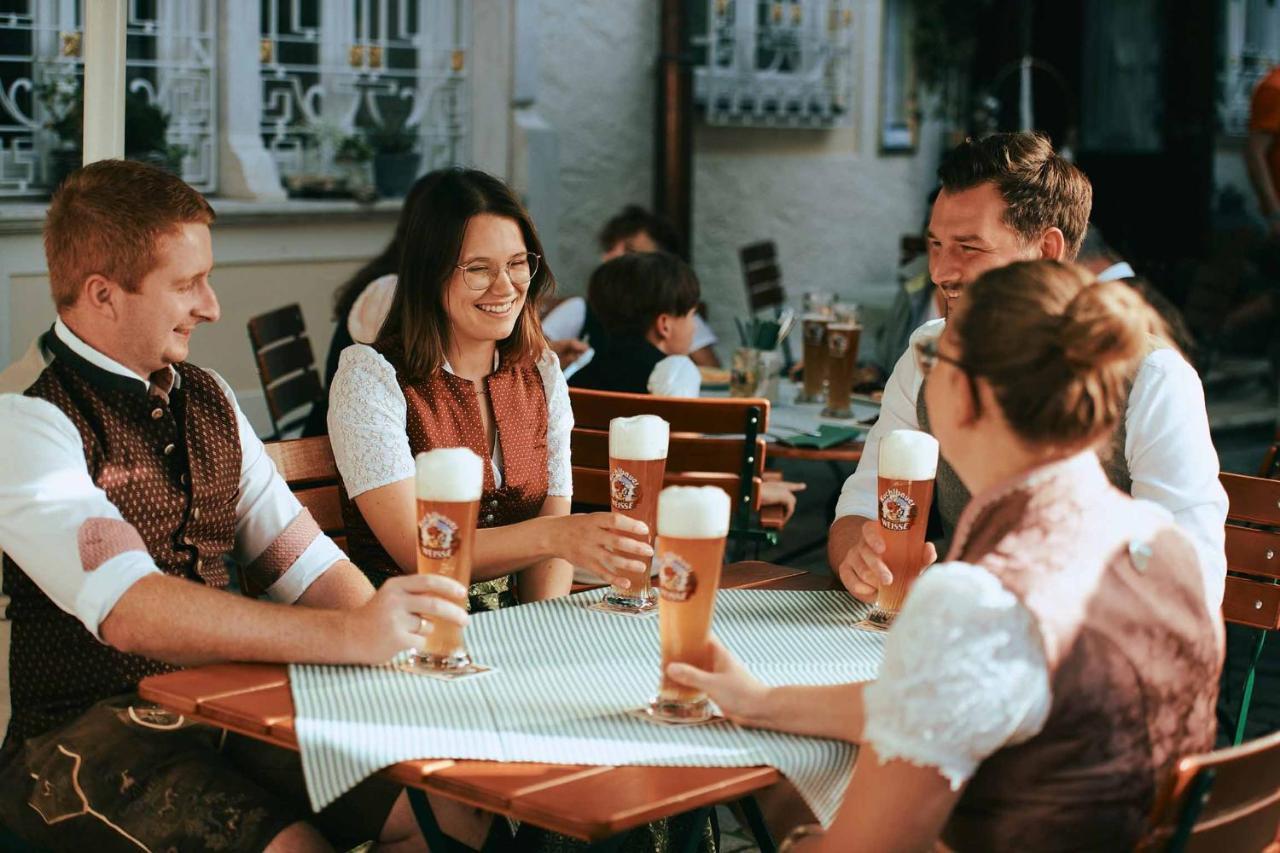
x=775 y=63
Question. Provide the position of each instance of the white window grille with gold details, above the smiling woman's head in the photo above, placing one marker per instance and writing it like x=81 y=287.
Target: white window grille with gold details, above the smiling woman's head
x=383 y=72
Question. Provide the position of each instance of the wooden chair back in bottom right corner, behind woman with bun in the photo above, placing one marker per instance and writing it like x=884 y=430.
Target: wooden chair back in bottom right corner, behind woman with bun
x=1228 y=800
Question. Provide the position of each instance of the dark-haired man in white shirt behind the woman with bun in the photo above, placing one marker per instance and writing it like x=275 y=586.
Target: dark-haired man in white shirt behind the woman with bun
x=1004 y=199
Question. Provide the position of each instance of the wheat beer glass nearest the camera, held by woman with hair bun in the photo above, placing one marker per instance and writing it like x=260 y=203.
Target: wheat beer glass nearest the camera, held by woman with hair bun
x=693 y=523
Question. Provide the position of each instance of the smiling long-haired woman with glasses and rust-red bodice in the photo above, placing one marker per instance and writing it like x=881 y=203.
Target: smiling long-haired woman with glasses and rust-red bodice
x=461 y=362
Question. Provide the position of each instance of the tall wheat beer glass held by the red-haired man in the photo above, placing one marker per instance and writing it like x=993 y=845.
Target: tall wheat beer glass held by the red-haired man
x=450 y=482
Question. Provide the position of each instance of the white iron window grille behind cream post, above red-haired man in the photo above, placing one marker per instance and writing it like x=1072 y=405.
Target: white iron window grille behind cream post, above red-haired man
x=171 y=77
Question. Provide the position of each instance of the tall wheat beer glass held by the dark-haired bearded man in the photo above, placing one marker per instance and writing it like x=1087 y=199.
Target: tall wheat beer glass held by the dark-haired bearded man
x=908 y=464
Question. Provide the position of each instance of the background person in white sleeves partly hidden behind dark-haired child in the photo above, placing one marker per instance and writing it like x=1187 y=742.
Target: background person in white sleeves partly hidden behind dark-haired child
x=634 y=231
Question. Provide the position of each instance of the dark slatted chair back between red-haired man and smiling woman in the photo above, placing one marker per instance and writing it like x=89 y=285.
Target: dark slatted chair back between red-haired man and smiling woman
x=286 y=366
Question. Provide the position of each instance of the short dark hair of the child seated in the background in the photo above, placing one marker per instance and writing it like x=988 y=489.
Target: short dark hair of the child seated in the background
x=629 y=293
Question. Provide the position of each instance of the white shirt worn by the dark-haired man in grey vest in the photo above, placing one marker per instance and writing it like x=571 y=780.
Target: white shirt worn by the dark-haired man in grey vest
x=1168 y=450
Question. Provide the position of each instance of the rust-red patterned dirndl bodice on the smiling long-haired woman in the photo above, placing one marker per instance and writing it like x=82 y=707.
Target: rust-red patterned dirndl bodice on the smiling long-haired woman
x=445 y=412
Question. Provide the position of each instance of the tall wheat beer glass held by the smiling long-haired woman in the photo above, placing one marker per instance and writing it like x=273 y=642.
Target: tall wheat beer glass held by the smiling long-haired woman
x=638 y=462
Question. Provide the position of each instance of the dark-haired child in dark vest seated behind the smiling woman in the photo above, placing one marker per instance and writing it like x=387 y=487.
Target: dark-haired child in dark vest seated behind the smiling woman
x=647 y=304
